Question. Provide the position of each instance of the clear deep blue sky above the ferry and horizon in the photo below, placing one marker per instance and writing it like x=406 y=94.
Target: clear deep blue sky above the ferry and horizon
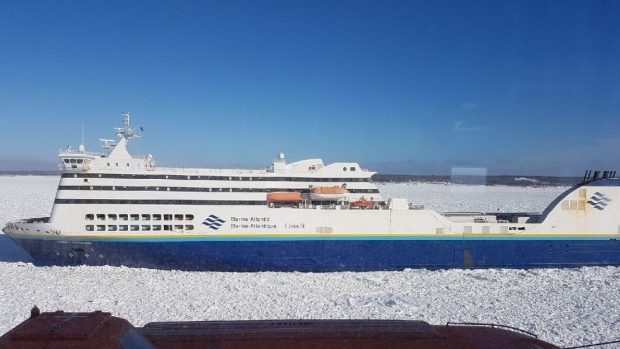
x=518 y=87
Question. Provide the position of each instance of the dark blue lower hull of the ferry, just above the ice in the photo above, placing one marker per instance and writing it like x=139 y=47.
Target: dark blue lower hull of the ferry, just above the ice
x=323 y=255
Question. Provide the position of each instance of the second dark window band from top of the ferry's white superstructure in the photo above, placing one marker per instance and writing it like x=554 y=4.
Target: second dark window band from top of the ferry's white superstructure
x=195 y=189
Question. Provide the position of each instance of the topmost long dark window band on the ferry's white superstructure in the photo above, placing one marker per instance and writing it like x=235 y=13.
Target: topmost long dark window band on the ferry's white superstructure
x=223 y=178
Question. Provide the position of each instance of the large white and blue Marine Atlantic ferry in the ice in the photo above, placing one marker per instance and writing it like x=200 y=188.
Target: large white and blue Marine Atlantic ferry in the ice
x=117 y=209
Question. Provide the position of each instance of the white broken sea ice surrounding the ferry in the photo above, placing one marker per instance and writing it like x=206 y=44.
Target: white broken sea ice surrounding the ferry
x=563 y=306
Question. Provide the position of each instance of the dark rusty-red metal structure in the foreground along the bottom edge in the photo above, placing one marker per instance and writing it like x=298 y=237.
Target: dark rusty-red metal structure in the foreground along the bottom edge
x=55 y=330
